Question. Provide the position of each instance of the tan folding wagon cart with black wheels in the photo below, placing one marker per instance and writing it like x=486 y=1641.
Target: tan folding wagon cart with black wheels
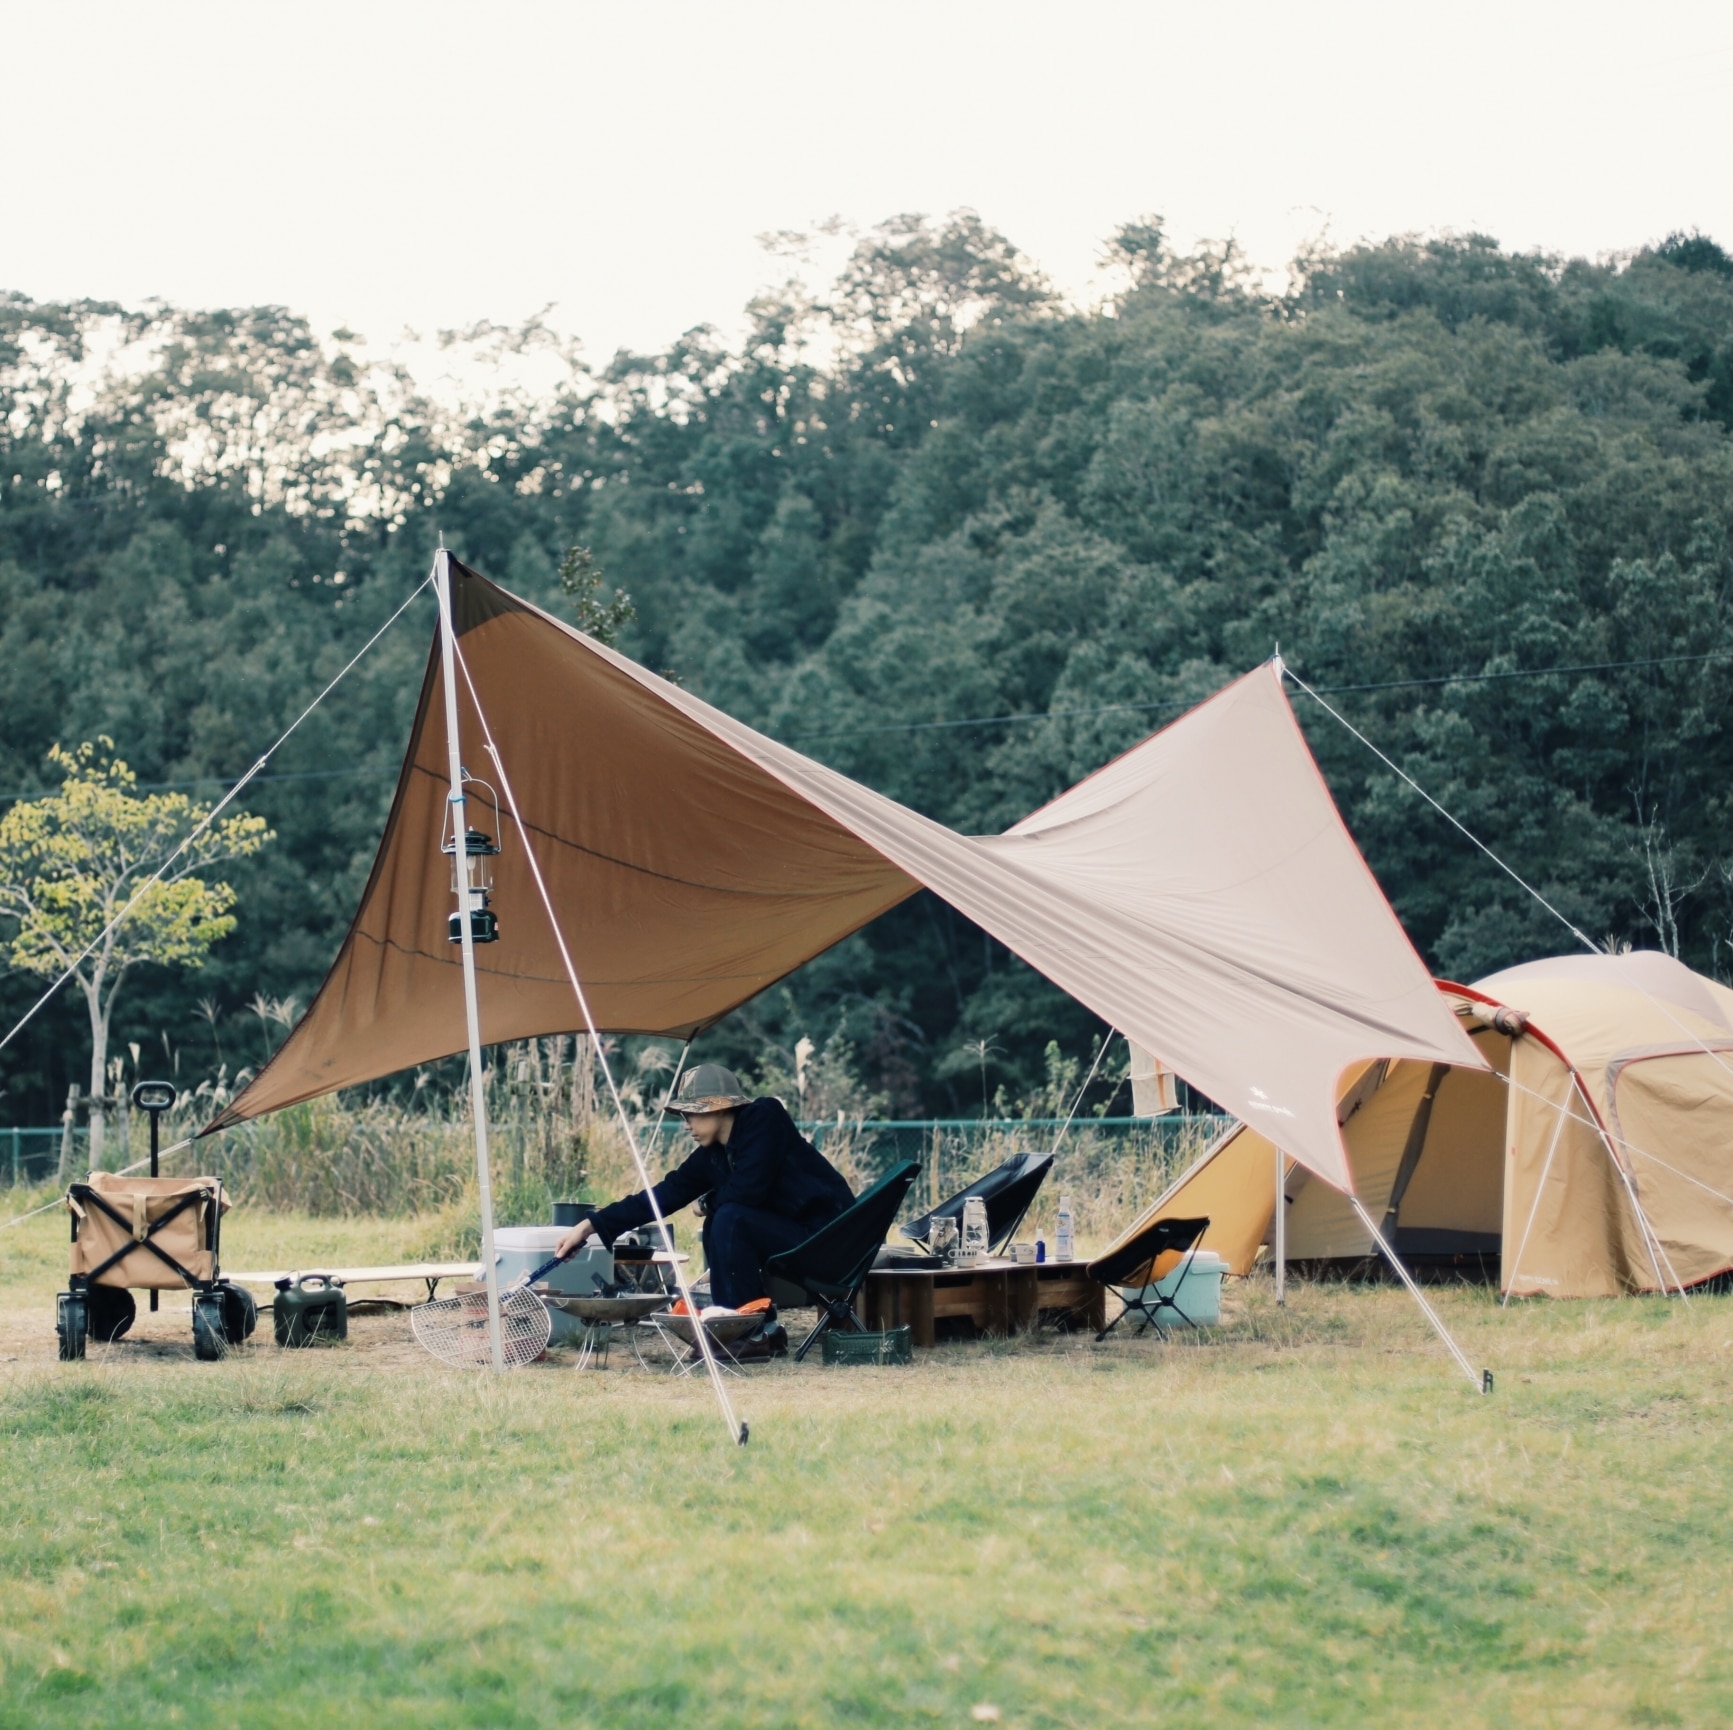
x=150 y=1235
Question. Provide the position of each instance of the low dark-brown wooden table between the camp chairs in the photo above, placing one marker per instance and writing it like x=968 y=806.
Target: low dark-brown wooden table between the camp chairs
x=997 y=1297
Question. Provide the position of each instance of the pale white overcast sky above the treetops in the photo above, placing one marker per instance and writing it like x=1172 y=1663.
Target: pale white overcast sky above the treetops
x=429 y=166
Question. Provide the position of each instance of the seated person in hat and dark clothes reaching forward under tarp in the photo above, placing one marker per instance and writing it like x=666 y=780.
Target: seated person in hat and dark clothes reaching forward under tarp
x=767 y=1187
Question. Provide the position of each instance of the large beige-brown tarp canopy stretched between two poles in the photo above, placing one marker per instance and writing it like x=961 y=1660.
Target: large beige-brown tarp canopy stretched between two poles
x=1200 y=894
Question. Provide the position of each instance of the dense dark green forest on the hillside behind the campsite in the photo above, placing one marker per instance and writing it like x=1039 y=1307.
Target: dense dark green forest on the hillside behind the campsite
x=951 y=535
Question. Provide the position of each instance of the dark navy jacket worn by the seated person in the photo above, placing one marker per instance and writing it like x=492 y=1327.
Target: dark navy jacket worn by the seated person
x=769 y=1164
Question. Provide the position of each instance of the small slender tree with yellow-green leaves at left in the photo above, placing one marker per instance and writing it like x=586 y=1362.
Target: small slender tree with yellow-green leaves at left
x=70 y=866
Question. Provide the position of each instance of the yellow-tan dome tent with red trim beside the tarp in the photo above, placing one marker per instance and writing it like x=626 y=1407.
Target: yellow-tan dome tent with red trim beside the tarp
x=1593 y=1157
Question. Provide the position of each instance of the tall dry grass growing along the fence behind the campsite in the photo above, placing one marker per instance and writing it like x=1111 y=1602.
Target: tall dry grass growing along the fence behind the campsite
x=555 y=1138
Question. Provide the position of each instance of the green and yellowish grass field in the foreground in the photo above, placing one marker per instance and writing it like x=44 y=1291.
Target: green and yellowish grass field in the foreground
x=1306 y=1519
